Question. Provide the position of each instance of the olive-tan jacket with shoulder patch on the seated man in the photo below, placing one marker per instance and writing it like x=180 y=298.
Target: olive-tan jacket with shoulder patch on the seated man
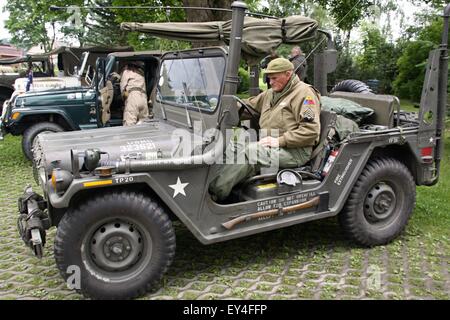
x=296 y=114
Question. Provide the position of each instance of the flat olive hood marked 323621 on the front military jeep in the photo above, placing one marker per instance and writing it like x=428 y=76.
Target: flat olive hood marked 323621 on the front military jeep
x=150 y=140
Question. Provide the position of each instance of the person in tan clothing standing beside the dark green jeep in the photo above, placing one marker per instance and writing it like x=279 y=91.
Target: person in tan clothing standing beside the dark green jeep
x=132 y=87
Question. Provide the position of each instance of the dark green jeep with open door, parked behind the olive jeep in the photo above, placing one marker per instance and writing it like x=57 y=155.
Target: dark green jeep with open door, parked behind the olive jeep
x=78 y=106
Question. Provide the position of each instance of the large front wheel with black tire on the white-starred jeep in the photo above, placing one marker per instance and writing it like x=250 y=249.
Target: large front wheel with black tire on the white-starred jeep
x=100 y=224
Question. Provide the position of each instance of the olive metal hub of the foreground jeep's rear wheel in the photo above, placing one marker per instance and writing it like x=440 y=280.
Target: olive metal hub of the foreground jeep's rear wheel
x=380 y=203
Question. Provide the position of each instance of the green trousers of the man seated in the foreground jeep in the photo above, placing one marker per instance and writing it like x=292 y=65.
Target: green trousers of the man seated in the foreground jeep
x=255 y=157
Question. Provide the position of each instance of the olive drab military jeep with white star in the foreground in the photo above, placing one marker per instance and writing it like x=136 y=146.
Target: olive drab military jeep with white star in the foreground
x=113 y=192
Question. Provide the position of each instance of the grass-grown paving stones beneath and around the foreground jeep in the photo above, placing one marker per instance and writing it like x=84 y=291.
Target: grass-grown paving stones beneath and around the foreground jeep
x=310 y=261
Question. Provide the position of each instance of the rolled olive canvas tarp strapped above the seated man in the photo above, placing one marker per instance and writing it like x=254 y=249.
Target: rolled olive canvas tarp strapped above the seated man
x=259 y=35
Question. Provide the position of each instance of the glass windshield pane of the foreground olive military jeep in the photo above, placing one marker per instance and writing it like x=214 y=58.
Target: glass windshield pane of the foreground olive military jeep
x=193 y=82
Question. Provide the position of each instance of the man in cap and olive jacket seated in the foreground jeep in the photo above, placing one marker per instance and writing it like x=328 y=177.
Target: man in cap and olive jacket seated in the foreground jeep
x=290 y=108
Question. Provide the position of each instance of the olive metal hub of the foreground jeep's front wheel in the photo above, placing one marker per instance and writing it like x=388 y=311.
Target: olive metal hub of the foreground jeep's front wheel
x=116 y=246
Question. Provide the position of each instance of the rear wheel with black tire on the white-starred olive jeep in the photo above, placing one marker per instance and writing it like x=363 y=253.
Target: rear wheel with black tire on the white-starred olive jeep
x=380 y=203
